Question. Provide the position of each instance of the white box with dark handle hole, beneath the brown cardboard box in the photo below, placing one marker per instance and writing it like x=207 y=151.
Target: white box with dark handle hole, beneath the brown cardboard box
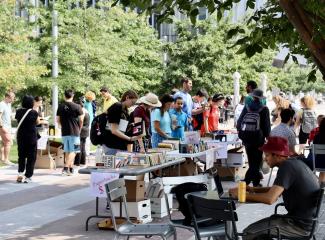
x=140 y=210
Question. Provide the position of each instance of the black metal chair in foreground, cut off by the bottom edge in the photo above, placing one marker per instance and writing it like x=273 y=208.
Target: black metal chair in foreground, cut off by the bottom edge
x=222 y=210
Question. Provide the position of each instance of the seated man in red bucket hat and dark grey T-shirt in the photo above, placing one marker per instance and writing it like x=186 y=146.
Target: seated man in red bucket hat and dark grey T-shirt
x=294 y=181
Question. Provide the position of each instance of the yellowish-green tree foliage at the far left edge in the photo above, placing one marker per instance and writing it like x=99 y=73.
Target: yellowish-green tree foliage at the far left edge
x=19 y=62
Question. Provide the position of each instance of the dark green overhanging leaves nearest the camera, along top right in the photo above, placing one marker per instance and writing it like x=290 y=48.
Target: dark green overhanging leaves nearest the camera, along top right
x=269 y=26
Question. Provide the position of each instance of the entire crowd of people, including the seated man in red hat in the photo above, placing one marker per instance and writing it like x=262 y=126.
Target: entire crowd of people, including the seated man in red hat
x=263 y=132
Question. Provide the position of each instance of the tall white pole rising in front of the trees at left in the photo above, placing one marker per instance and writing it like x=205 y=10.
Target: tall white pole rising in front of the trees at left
x=55 y=65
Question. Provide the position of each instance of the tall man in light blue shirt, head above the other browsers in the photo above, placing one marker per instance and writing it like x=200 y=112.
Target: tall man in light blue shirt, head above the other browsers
x=188 y=106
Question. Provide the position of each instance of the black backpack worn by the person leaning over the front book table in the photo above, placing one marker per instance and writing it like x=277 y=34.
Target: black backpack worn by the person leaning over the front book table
x=97 y=130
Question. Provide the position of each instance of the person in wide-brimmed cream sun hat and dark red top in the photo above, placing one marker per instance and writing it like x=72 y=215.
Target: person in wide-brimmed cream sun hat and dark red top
x=142 y=113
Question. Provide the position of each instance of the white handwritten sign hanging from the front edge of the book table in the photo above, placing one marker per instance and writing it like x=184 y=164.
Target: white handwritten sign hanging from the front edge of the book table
x=98 y=181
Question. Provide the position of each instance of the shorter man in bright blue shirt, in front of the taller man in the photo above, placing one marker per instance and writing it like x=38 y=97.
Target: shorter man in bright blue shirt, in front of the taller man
x=179 y=119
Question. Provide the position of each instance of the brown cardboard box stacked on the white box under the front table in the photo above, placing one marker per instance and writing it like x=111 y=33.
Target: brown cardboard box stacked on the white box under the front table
x=135 y=190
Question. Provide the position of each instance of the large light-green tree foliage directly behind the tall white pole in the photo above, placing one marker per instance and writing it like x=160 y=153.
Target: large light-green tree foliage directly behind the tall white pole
x=96 y=47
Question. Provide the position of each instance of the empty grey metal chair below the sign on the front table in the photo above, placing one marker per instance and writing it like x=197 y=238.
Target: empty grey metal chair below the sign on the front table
x=116 y=190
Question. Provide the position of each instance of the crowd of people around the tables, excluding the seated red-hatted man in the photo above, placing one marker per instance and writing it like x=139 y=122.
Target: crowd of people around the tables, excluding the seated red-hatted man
x=161 y=118
